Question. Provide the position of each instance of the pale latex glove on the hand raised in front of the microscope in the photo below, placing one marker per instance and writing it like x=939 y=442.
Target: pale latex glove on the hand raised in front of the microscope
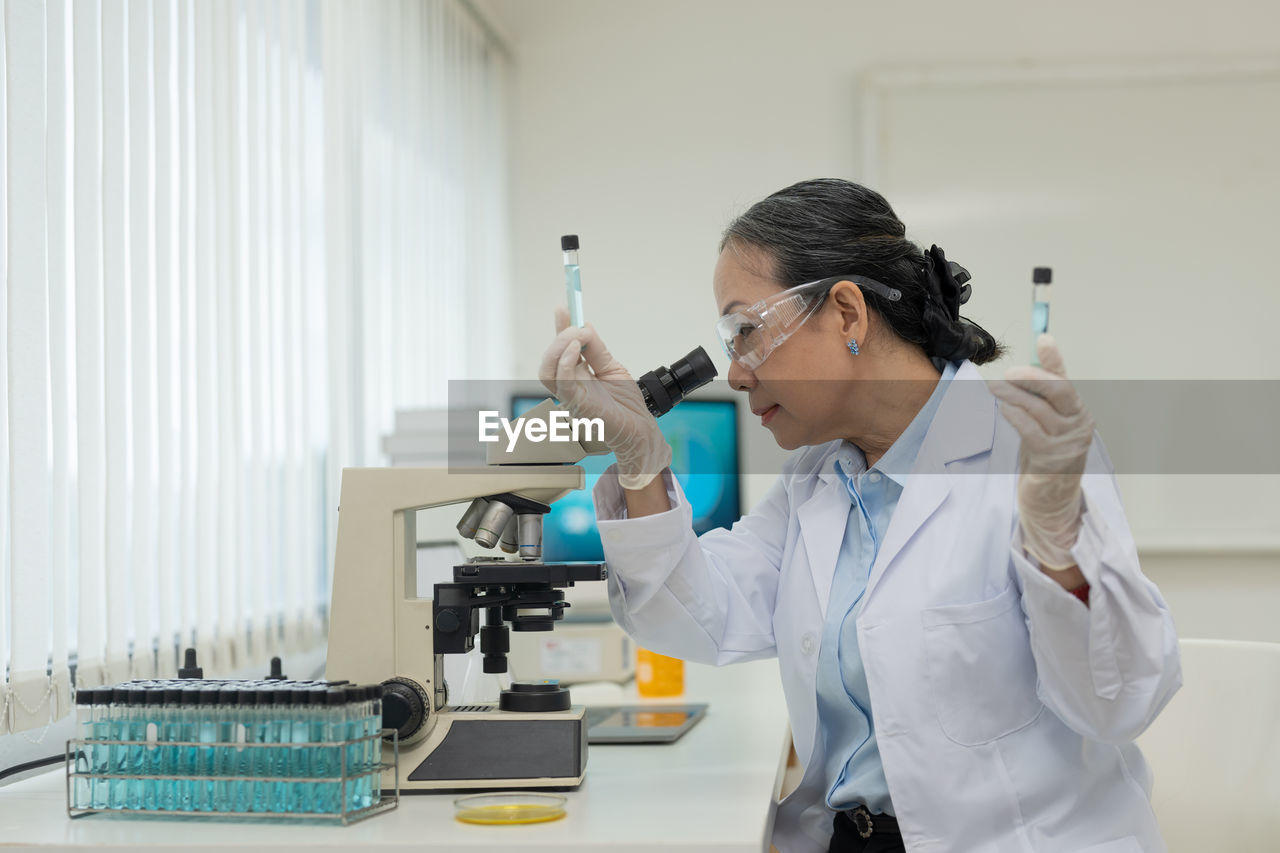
x=591 y=384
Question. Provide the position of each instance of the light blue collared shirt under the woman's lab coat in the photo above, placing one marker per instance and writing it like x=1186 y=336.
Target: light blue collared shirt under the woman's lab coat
x=852 y=760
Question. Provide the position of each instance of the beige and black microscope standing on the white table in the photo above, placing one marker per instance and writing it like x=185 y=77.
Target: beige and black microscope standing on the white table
x=381 y=631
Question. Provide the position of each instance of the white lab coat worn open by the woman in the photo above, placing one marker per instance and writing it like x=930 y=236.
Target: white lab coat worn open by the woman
x=1005 y=711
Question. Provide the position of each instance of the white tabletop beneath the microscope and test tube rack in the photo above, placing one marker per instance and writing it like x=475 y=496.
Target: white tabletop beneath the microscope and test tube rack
x=714 y=791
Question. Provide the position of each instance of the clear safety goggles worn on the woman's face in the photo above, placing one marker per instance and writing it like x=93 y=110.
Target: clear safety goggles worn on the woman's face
x=751 y=335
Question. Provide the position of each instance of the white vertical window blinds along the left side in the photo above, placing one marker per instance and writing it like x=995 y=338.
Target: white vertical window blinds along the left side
x=236 y=238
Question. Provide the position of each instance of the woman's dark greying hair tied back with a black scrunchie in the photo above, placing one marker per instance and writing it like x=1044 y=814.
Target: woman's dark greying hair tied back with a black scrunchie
x=831 y=227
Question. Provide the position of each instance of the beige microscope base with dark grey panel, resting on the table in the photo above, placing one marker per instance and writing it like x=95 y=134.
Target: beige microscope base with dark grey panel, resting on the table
x=481 y=747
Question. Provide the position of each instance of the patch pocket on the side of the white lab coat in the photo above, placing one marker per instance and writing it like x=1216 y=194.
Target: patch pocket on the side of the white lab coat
x=982 y=674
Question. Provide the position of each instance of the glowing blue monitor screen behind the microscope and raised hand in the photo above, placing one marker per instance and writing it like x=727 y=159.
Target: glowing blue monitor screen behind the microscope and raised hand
x=703 y=437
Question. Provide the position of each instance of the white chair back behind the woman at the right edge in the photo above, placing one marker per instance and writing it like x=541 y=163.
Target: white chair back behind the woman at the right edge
x=1215 y=750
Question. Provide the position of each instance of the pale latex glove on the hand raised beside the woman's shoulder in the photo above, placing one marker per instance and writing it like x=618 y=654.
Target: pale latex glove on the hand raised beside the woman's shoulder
x=1057 y=430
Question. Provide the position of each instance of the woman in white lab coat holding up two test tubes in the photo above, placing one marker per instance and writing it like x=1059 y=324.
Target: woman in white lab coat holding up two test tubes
x=944 y=571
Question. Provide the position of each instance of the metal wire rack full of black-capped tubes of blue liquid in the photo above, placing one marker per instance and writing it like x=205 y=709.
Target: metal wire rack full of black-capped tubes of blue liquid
x=139 y=768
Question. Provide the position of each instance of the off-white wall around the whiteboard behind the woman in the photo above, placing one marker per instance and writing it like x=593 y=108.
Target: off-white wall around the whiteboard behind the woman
x=646 y=127
